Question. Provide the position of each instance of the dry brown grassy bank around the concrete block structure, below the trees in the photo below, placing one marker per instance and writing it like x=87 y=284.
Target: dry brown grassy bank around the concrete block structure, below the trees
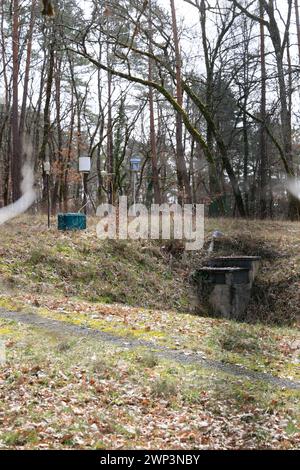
x=149 y=274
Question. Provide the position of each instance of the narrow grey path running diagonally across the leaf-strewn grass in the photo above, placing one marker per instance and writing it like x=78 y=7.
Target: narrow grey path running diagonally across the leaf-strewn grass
x=187 y=358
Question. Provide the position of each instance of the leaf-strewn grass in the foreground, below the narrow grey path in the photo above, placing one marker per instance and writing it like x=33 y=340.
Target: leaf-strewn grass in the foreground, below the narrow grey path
x=92 y=396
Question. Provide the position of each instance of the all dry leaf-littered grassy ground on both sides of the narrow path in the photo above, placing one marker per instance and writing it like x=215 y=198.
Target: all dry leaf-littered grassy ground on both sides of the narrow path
x=58 y=392
